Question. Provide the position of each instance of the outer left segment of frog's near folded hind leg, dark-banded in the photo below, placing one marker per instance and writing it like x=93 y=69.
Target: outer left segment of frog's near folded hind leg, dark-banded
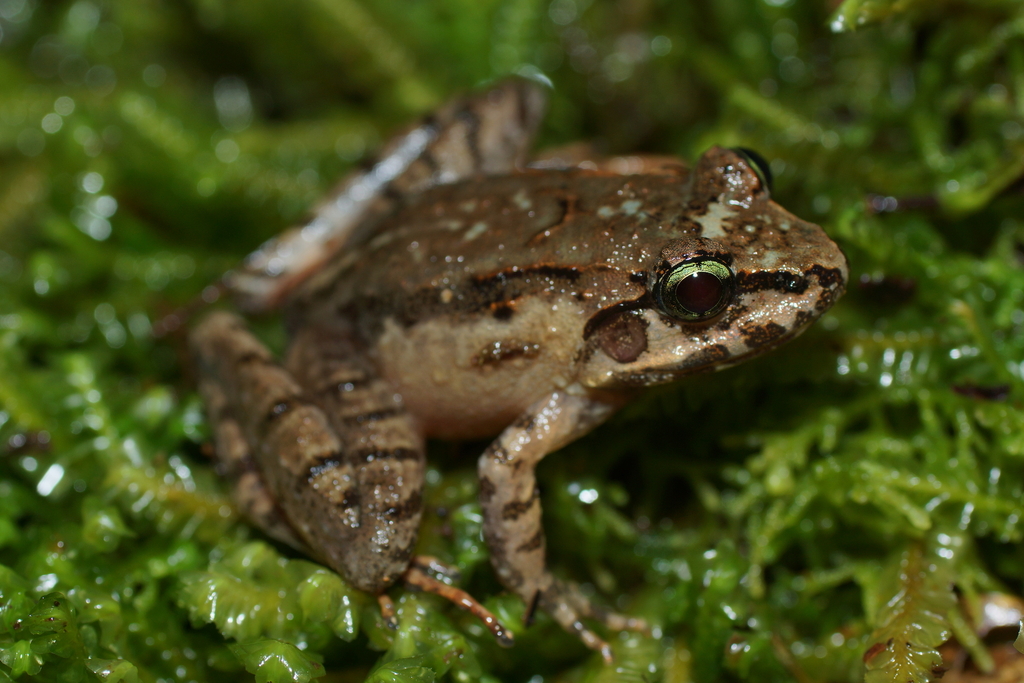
x=298 y=454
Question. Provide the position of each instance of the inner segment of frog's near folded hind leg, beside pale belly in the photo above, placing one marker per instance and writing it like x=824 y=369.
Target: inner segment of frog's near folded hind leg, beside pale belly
x=382 y=449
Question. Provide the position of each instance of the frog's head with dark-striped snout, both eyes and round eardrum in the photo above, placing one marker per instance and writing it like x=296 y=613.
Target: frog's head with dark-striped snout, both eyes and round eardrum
x=737 y=276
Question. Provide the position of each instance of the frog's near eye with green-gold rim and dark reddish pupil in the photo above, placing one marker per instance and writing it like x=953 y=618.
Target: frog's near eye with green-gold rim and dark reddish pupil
x=696 y=290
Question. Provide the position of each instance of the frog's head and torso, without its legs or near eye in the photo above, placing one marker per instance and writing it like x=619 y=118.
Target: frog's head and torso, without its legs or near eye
x=476 y=300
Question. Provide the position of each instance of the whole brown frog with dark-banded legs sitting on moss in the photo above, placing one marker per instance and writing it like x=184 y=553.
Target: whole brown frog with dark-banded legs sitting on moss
x=454 y=290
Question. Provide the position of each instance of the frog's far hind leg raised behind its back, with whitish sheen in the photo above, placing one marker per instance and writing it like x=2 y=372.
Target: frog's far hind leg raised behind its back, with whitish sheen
x=485 y=134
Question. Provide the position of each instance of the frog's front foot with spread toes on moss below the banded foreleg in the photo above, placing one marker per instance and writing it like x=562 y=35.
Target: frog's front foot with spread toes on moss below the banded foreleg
x=569 y=607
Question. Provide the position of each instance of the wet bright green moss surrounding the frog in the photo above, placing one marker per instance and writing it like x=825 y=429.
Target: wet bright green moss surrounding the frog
x=859 y=492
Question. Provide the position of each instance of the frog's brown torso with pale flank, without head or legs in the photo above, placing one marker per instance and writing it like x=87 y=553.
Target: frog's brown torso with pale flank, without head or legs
x=475 y=296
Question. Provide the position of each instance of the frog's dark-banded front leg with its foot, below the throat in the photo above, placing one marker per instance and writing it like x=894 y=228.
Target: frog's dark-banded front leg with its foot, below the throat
x=513 y=510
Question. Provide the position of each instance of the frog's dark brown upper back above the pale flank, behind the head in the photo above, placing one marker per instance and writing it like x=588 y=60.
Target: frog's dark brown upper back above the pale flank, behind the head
x=390 y=281
